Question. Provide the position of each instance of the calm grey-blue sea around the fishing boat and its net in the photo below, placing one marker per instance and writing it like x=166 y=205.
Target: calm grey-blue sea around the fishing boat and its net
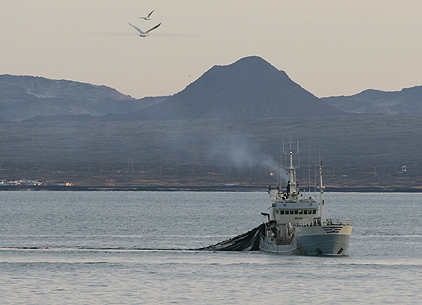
x=133 y=248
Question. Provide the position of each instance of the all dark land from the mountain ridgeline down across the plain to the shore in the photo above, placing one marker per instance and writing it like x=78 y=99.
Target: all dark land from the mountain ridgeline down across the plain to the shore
x=228 y=120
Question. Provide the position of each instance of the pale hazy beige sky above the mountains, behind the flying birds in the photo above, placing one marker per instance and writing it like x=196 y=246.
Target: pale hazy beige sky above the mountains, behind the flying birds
x=329 y=47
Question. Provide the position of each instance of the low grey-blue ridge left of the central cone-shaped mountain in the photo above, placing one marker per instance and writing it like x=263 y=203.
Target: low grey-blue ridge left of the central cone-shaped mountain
x=25 y=97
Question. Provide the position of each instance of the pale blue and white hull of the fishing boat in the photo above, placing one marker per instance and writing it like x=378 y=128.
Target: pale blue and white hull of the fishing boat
x=310 y=241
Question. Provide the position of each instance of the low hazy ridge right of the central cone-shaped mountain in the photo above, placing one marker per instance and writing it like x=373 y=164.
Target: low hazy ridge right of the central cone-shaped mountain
x=406 y=101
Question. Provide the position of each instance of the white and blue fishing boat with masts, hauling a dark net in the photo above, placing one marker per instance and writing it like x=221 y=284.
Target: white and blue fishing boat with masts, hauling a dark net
x=297 y=223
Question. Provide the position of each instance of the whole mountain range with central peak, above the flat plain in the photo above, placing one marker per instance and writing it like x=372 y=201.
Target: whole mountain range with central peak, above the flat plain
x=249 y=88
